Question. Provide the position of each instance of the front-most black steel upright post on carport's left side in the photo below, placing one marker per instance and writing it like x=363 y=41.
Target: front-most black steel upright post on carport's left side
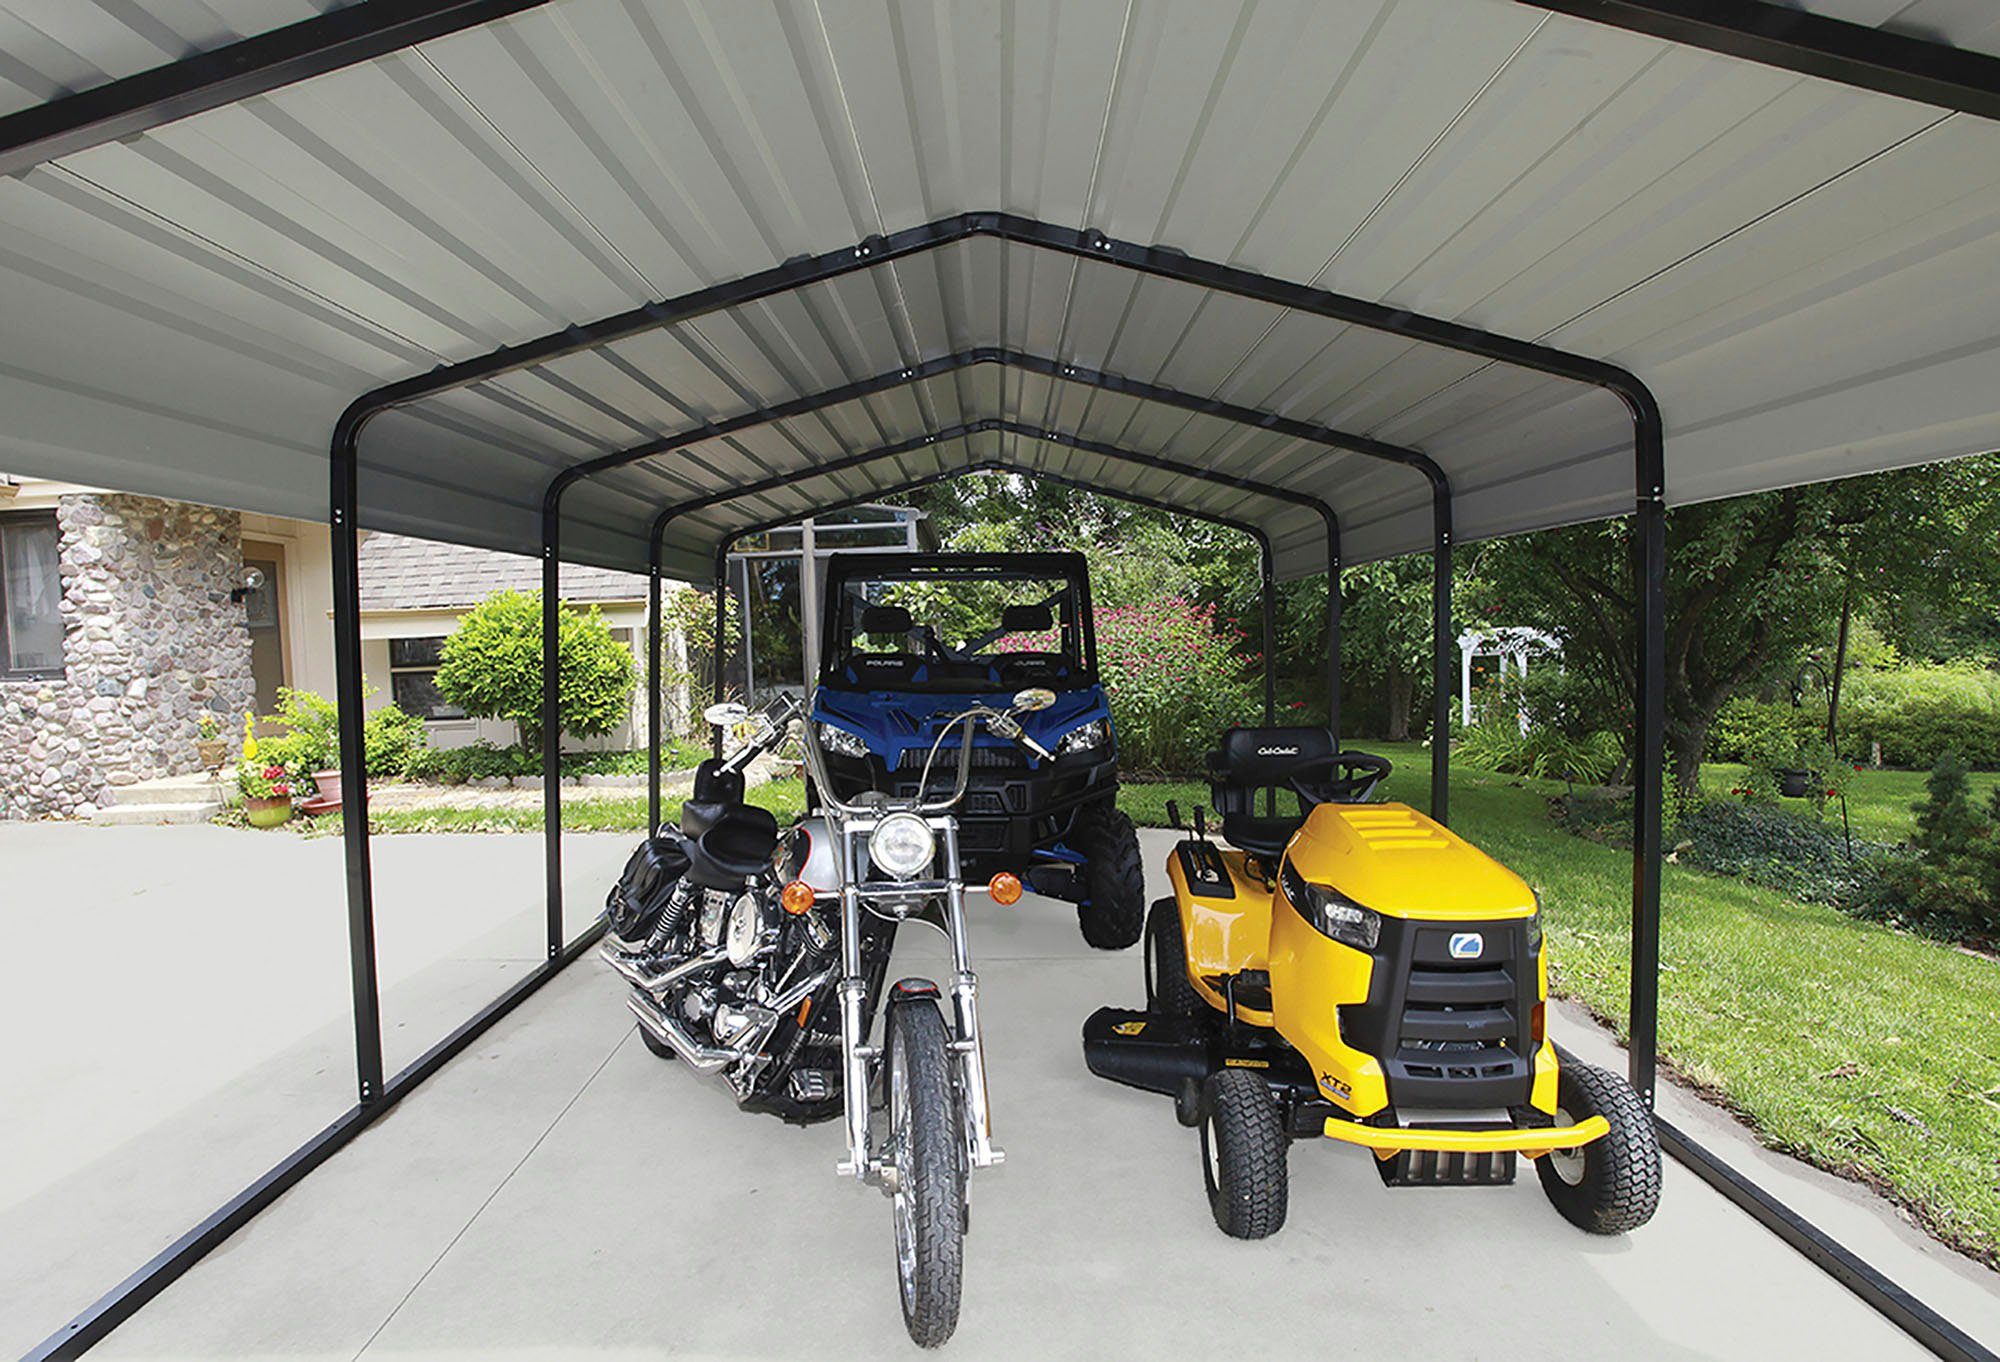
x=349 y=697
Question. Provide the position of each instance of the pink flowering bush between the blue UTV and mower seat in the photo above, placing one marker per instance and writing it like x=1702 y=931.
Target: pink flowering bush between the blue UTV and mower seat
x=1177 y=679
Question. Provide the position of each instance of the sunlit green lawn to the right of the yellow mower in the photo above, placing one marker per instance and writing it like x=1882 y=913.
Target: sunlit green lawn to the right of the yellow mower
x=1849 y=1045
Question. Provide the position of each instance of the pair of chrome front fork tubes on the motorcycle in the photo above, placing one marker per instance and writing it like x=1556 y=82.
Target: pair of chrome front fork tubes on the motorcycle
x=863 y=1059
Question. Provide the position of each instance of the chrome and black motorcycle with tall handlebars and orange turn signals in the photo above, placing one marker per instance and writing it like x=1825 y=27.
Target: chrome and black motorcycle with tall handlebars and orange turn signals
x=763 y=959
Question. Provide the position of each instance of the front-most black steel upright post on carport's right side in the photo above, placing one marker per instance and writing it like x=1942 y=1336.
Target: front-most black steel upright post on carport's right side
x=1649 y=773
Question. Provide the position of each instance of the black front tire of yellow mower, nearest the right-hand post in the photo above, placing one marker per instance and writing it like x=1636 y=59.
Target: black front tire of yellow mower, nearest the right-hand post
x=1611 y=1185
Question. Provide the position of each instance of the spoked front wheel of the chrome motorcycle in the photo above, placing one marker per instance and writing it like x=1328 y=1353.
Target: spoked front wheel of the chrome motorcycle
x=923 y=1147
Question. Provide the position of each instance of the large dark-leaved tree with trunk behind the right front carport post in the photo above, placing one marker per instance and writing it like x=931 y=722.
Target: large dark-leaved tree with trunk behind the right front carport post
x=1755 y=583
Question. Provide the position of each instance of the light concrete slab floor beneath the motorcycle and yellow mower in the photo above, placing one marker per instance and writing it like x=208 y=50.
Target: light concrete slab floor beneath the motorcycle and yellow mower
x=559 y=1193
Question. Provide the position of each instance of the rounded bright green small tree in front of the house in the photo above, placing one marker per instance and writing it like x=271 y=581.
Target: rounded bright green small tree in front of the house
x=493 y=667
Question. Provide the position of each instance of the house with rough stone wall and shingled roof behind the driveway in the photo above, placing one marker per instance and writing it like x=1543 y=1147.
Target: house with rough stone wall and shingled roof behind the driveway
x=127 y=619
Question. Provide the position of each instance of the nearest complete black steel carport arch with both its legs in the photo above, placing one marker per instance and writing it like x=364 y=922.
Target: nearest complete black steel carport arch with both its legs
x=1087 y=245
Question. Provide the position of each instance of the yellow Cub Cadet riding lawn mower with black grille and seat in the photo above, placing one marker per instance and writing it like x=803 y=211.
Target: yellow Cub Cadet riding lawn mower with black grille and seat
x=1357 y=971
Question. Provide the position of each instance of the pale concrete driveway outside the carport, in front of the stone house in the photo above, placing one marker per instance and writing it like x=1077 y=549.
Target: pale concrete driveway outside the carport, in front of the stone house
x=177 y=1017
